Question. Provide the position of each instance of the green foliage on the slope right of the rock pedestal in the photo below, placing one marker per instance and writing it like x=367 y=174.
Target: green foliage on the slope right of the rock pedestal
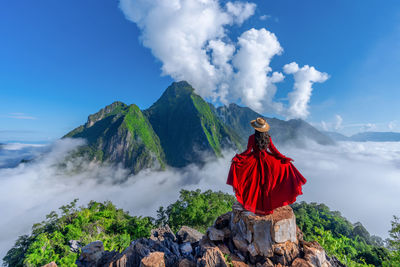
x=352 y=244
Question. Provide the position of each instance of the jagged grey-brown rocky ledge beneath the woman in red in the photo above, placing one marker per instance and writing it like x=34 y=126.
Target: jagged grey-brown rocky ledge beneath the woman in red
x=238 y=238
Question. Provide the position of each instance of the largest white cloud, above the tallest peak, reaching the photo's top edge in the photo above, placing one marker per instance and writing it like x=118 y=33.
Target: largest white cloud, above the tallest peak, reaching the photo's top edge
x=179 y=33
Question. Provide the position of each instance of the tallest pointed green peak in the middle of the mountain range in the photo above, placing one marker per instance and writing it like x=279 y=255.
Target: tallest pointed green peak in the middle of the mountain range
x=187 y=127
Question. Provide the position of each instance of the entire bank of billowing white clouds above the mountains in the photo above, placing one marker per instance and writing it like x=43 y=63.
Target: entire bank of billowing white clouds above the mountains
x=190 y=38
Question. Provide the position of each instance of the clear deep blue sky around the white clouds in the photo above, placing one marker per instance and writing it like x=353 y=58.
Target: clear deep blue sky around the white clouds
x=63 y=60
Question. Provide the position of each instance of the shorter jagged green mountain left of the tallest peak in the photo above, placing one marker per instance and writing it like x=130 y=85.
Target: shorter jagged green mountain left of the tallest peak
x=120 y=134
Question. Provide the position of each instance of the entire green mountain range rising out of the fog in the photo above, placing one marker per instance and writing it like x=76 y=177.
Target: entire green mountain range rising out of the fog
x=180 y=128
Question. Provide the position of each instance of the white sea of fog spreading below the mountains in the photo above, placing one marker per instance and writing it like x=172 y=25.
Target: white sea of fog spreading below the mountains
x=361 y=180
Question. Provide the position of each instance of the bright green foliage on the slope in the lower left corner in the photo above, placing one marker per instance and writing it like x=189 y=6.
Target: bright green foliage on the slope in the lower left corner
x=49 y=240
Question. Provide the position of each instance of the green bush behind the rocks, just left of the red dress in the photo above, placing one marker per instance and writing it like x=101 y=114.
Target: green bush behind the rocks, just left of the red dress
x=195 y=209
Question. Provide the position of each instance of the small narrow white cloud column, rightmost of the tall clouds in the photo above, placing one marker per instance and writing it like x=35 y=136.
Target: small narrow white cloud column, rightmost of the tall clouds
x=304 y=78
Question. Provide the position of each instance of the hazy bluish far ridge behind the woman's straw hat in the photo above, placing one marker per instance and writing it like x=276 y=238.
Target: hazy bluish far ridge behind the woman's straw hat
x=295 y=130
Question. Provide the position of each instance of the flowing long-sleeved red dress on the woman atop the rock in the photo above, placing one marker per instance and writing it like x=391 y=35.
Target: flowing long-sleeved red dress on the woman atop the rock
x=262 y=181
